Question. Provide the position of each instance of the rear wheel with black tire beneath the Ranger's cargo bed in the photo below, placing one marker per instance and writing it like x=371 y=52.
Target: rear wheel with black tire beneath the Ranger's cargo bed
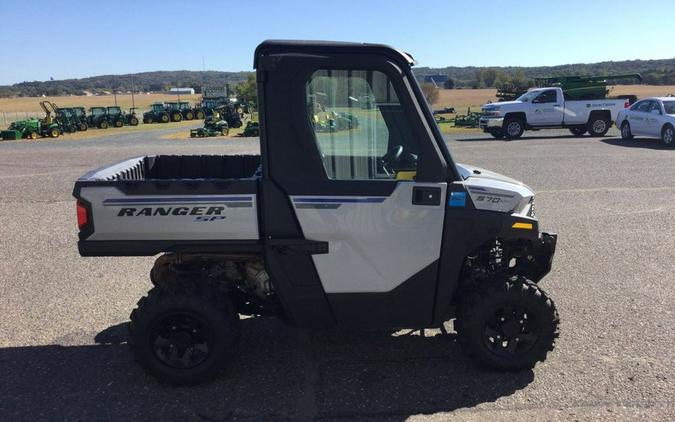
x=184 y=332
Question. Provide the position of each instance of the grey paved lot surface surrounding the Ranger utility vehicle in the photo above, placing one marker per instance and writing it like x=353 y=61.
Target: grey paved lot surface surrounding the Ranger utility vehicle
x=62 y=351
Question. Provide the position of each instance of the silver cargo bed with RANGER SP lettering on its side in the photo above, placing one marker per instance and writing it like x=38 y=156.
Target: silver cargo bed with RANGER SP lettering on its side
x=152 y=204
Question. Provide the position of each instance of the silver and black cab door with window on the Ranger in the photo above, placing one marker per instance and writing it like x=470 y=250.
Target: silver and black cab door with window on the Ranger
x=363 y=176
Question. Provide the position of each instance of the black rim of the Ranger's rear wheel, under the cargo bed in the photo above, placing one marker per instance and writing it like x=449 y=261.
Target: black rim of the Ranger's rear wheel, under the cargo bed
x=181 y=339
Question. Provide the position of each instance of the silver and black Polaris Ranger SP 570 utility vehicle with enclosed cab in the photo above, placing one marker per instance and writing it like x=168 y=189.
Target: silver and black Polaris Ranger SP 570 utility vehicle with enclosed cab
x=371 y=226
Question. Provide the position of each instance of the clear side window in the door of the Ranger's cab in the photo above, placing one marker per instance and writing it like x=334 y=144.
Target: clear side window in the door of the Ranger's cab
x=359 y=126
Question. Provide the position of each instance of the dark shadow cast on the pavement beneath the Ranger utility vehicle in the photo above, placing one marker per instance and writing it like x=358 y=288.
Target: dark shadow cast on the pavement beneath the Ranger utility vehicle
x=280 y=374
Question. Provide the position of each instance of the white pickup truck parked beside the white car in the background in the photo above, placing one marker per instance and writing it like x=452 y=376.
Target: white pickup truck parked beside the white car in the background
x=546 y=108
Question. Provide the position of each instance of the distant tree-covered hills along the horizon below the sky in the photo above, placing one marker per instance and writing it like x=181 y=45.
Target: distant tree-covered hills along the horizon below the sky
x=654 y=72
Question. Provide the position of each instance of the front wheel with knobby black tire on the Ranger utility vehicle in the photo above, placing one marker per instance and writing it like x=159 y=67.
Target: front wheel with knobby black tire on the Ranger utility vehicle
x=508 y=325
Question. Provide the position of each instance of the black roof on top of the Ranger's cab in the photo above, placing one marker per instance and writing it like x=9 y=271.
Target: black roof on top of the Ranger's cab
x=269 y=47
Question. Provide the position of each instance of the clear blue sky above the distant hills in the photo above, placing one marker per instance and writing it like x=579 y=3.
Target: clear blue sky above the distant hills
x=74 y=39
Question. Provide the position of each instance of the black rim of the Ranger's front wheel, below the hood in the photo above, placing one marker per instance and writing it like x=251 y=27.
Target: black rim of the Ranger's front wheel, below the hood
x=511 y=331
